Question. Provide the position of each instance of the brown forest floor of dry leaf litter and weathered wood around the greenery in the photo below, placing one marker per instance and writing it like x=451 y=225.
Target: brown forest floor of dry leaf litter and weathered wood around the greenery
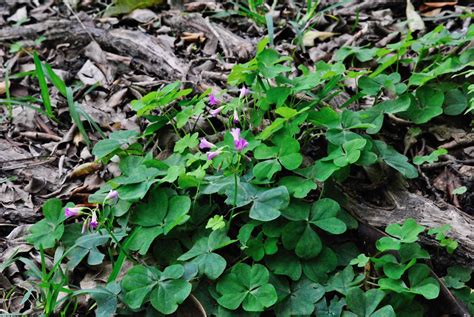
x=108 y=61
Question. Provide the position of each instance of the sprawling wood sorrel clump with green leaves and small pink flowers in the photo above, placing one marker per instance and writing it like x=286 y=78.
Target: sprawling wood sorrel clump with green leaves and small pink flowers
x=237 y=214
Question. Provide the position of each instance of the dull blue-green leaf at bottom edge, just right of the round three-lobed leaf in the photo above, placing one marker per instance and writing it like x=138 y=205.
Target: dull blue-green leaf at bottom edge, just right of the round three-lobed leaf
x=300 y=299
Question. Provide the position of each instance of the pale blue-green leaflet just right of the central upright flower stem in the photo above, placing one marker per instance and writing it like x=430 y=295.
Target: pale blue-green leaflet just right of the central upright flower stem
x=268 y=204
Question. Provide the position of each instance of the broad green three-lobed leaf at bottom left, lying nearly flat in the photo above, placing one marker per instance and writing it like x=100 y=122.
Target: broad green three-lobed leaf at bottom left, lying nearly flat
x=165 y=290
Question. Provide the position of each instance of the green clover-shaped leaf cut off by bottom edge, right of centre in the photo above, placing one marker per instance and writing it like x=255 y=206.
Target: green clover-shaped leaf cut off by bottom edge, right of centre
x=365 y=304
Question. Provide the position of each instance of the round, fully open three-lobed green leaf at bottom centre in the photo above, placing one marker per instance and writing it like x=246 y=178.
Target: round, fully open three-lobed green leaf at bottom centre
x=247 y=286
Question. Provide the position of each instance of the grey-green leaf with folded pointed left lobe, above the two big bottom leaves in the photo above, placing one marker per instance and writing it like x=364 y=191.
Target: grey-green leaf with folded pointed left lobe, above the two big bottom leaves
x=209 y=263
